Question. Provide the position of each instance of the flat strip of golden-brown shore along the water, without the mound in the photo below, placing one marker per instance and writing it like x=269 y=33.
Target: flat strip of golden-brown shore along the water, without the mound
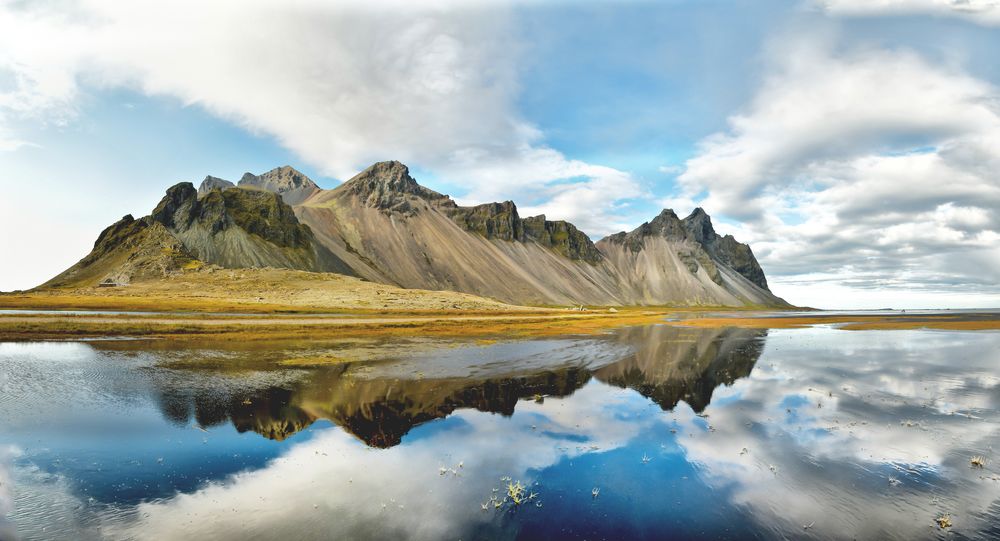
x=341 y=324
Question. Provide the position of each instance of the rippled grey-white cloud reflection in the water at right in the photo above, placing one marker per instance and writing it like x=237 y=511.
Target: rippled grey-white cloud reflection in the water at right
x=833 y=456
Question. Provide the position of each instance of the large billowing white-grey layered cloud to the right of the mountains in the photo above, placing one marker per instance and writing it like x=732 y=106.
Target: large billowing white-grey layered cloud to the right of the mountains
x=871 y=165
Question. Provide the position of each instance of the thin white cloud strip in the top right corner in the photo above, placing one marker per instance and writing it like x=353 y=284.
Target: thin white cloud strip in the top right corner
x=985 y=12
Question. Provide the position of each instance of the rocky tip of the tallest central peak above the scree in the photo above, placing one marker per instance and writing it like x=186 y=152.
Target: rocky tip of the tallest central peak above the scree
x=388 y=186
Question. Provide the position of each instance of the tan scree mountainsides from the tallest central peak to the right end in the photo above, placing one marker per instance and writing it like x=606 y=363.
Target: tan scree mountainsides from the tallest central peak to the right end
x=390 y=229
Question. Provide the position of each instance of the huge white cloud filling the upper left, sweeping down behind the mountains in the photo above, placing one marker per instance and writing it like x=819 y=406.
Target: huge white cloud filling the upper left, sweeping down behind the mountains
x=433 y=85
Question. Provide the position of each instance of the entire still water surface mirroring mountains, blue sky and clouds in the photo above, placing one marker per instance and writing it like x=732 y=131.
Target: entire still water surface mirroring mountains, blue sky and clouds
x=681 y=433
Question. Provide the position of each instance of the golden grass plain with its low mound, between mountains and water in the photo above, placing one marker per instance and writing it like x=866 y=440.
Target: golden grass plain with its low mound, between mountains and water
x=276 y=304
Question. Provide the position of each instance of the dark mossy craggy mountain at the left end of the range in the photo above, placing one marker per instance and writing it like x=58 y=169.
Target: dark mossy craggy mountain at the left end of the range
x=228 y=227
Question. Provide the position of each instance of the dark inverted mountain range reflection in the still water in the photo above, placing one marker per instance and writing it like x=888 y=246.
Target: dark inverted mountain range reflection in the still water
x=666 y=364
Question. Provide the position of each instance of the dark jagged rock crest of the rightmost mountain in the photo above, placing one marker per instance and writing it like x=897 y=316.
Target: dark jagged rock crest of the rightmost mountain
x=697 y=229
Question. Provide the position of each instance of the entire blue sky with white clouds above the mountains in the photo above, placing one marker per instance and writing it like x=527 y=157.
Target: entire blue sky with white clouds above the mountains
x=855 y=144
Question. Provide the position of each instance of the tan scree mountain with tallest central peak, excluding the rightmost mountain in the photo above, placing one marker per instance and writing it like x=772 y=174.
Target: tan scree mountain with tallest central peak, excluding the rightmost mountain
x=388 y=228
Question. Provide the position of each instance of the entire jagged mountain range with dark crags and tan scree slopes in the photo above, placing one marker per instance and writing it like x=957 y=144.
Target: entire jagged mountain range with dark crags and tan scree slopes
x=382 y=226
